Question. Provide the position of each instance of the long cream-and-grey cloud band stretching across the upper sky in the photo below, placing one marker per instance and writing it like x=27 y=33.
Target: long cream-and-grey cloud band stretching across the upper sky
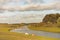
x=34 y=6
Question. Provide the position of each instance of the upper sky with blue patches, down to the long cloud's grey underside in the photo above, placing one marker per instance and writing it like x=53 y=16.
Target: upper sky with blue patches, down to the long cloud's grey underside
x=31 y=4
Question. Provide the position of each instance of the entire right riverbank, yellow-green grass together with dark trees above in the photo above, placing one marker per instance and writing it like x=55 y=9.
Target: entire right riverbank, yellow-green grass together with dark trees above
x=50 y=23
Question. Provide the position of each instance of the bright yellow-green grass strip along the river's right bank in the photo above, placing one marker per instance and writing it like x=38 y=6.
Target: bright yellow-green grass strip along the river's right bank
x=48 y=29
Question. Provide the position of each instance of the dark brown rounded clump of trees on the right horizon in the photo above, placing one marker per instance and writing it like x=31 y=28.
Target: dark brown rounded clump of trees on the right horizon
x=51 y=18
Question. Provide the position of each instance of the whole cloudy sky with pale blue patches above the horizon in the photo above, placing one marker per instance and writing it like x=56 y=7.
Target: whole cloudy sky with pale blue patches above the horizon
x=47 y=6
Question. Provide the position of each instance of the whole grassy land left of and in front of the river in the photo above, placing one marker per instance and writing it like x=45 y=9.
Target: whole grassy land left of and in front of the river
x=6 y=35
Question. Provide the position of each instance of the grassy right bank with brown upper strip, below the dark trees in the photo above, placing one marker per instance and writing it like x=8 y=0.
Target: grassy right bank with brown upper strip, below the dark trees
x=44 y=27
